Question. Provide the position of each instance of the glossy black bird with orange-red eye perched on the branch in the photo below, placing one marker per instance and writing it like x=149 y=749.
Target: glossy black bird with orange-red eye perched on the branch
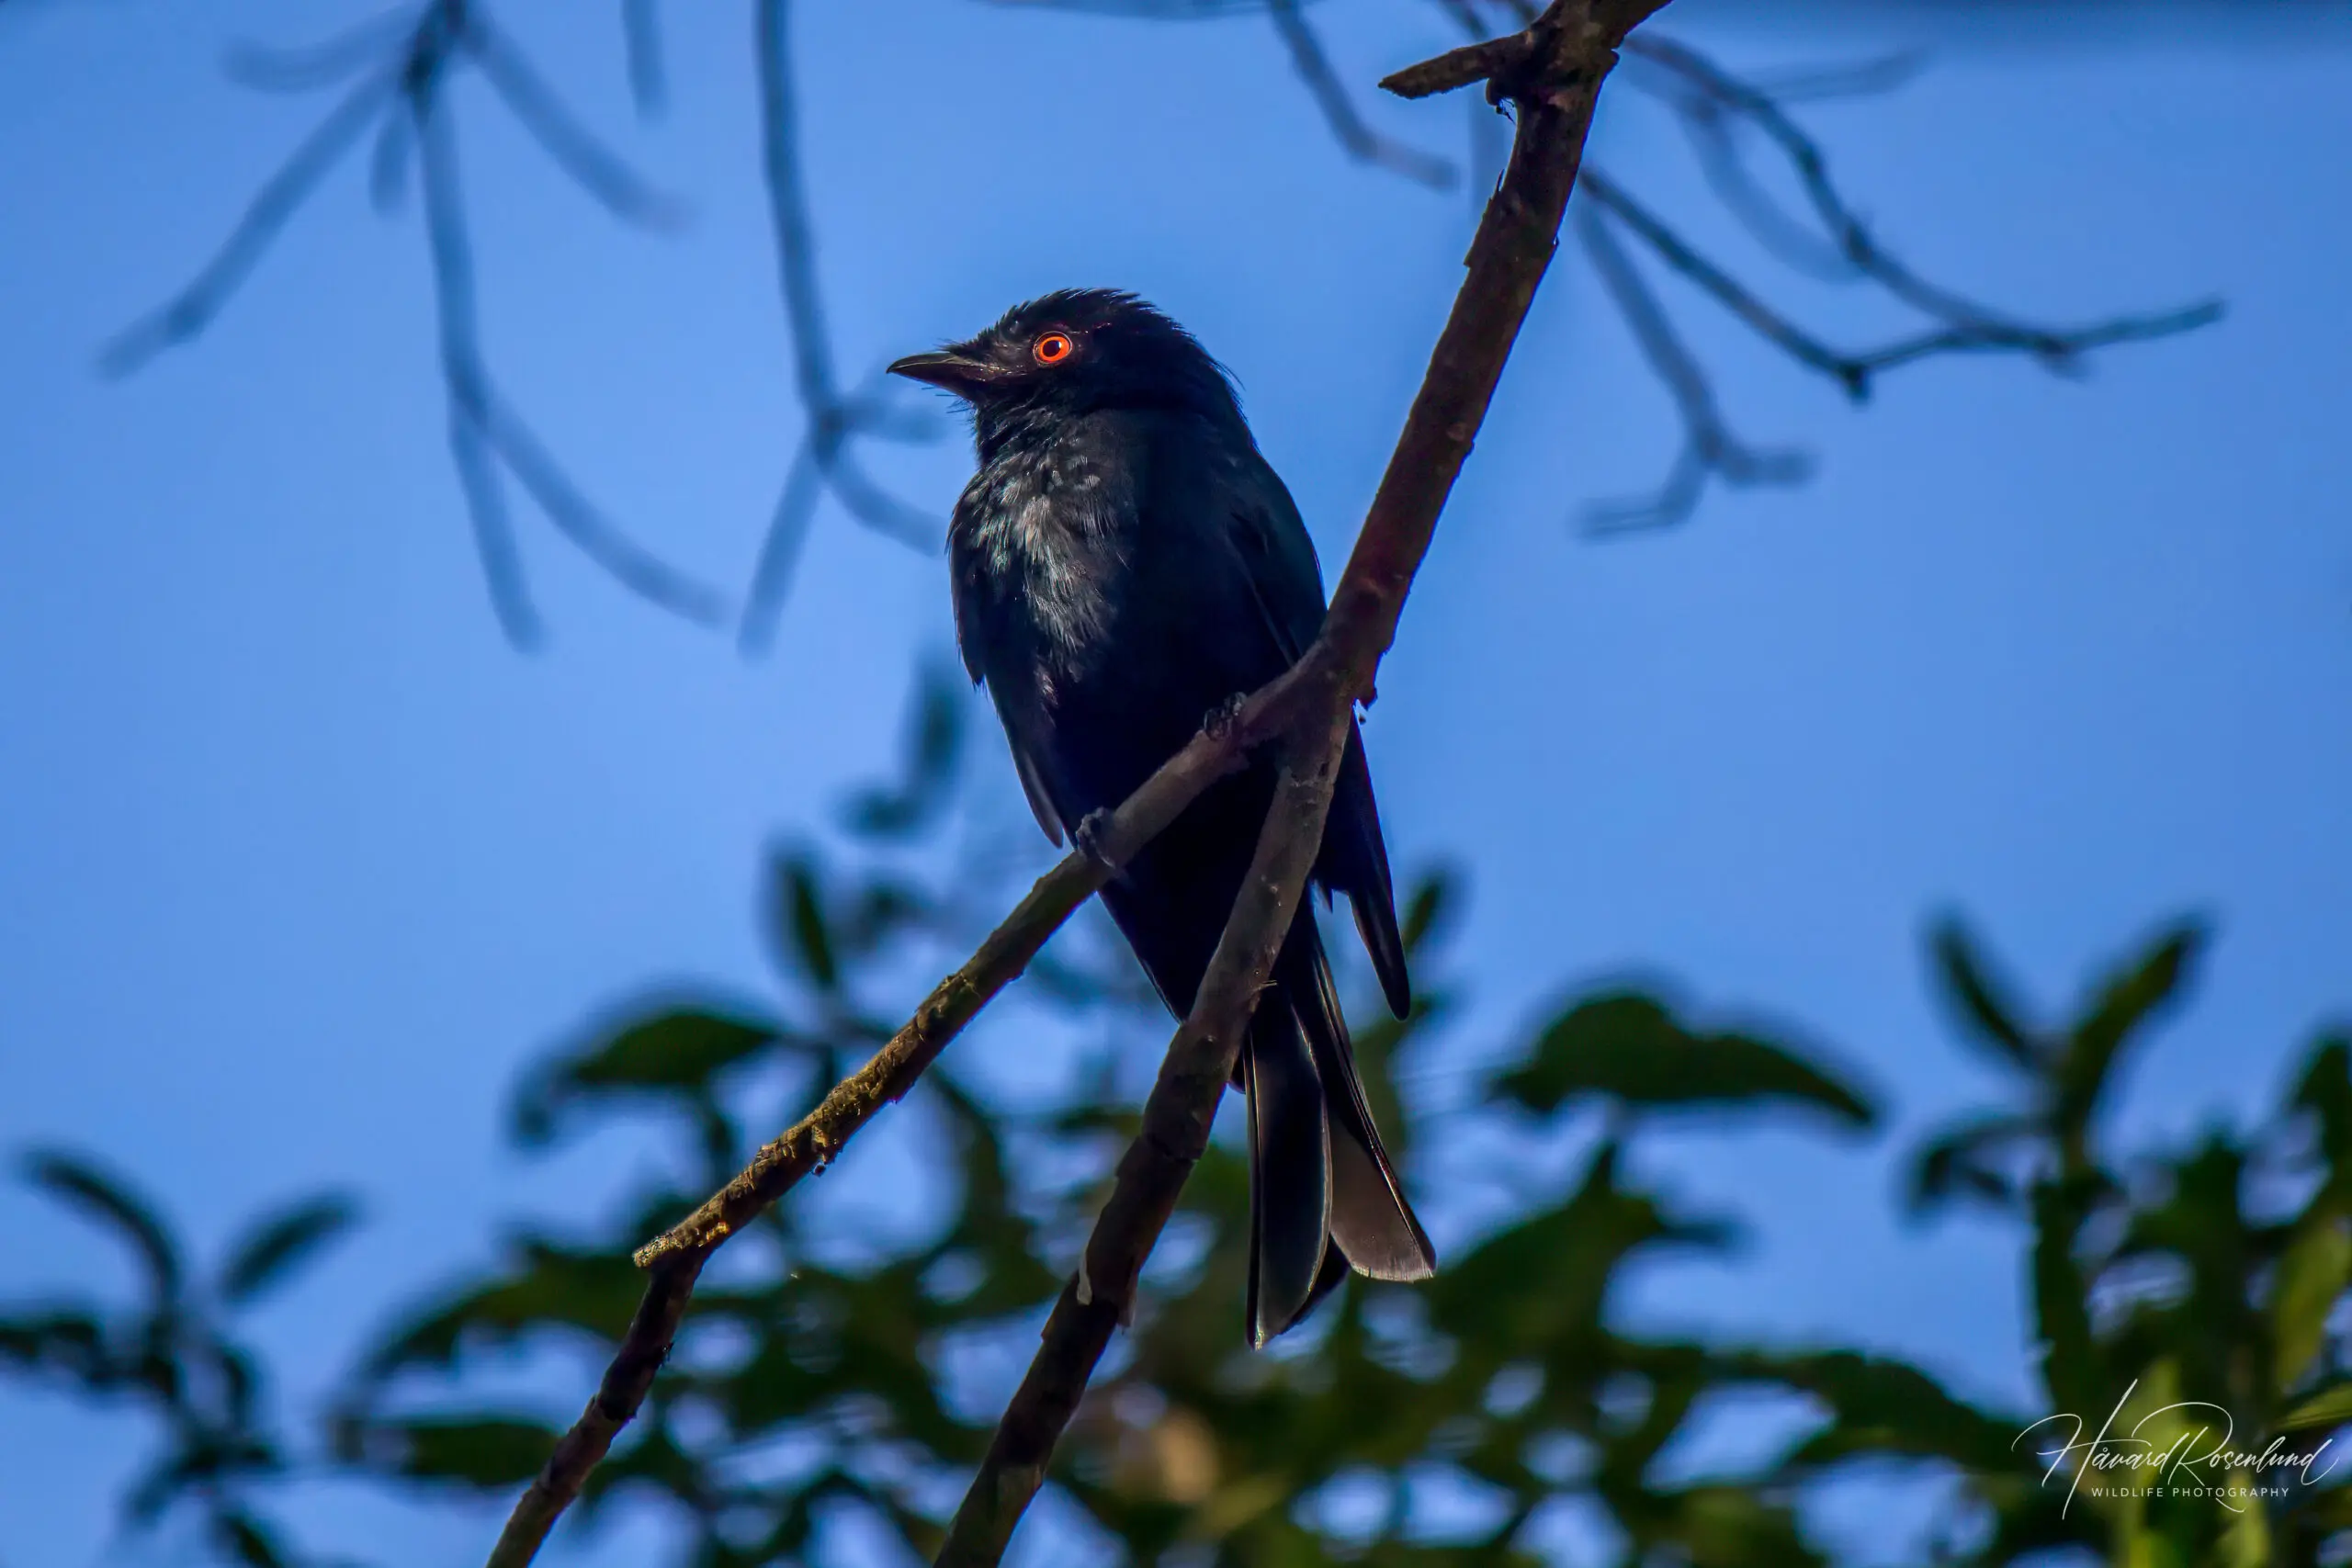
x=1125 y=563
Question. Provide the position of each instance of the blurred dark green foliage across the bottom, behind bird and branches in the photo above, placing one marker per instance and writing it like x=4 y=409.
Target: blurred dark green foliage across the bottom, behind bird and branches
x=846 y=1358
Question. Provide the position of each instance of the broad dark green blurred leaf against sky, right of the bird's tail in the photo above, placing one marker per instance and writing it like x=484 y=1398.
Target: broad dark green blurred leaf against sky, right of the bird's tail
x=1626 y=1047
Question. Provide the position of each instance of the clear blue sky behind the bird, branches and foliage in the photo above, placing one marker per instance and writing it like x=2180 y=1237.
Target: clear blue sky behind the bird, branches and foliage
x=302 y=862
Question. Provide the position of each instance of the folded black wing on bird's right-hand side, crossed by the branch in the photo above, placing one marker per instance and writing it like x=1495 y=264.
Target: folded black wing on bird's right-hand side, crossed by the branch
x=1285 y=579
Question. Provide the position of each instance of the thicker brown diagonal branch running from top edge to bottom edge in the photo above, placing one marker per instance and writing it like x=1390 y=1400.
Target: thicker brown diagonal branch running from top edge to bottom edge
x=1551 y=76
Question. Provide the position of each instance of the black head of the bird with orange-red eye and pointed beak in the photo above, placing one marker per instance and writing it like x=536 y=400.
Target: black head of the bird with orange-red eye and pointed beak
x=1071 y=354
